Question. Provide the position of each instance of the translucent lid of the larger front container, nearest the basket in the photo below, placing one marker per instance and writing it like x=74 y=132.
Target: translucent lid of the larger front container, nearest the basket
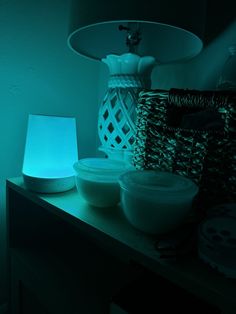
x=151 y=182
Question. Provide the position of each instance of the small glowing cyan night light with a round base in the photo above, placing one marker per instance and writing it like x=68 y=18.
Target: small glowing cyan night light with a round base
x=50 y=152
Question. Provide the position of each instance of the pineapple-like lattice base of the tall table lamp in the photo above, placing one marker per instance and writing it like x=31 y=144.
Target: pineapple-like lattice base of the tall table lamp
x=117 y=115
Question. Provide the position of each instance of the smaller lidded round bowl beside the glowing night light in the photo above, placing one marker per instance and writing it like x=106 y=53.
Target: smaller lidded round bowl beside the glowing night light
x=97 y=180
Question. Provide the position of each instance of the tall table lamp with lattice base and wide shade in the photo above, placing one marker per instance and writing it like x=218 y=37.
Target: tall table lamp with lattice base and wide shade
x=132 y=37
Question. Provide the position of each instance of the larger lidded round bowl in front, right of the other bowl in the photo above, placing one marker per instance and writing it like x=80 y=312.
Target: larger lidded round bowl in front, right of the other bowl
x=156 y=202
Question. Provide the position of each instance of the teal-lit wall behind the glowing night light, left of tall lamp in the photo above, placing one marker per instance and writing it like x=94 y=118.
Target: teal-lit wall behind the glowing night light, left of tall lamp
x=39 y=74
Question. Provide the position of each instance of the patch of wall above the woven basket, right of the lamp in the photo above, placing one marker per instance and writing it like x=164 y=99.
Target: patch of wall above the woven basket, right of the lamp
x=201 y=72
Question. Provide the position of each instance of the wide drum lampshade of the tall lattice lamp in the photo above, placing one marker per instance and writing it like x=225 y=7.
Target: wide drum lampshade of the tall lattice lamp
x=170 y=30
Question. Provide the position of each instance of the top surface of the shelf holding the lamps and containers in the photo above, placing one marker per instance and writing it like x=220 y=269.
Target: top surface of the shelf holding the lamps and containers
x=111 y=227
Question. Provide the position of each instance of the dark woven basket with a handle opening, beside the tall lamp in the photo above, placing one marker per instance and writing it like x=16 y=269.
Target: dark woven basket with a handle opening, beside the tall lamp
x=207 y=155
